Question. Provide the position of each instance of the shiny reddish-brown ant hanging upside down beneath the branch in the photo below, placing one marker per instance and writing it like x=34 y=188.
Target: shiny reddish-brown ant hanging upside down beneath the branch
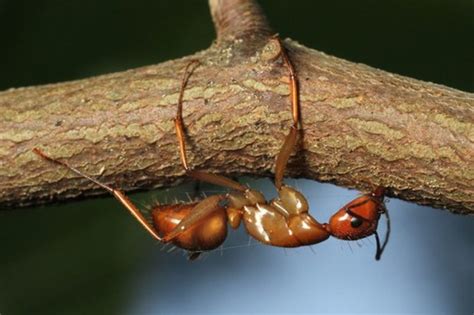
x=284 y=221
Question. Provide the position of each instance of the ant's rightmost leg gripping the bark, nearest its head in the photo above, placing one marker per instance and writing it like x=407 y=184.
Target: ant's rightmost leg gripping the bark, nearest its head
x=290 y=140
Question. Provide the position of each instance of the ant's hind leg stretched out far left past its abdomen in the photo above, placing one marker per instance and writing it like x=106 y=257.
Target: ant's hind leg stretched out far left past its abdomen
x=120 y=196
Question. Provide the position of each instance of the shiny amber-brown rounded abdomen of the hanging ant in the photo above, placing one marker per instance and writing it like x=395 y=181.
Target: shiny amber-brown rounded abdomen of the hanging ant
x=207 y=234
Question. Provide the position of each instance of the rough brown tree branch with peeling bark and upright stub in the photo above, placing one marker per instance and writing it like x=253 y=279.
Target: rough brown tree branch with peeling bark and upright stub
x=362 y=127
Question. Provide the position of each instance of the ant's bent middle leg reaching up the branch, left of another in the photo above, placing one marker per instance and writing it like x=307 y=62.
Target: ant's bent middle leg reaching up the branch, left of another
x=179 y=125
